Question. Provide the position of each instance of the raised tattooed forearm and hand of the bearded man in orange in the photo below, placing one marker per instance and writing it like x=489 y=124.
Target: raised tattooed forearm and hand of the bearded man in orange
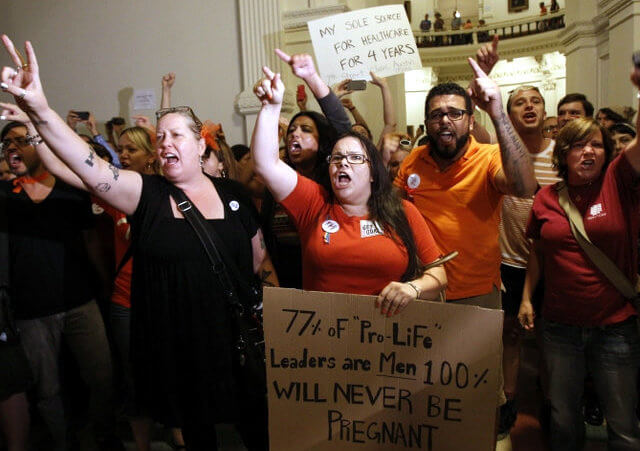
x=516 y=177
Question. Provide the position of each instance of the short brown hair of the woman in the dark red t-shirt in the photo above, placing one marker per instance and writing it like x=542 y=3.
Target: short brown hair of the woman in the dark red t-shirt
x=574 y=131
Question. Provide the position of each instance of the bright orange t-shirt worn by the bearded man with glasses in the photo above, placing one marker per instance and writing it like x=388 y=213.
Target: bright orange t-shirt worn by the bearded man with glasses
x=462 y=208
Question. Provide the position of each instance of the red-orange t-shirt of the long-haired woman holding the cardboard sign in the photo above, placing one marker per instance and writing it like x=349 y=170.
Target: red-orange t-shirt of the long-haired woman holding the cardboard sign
x=355 y=257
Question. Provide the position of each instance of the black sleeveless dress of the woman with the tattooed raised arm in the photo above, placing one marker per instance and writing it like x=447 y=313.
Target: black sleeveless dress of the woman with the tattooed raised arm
x=181 y=343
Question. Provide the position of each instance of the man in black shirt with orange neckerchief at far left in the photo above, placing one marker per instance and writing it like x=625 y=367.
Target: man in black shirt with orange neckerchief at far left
x=52 y=292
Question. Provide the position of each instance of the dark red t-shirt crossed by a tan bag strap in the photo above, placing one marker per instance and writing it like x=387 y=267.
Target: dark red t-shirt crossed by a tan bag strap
x=575 y=291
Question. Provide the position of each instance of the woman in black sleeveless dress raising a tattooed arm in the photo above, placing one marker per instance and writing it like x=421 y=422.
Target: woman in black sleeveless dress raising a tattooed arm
x=181 y=337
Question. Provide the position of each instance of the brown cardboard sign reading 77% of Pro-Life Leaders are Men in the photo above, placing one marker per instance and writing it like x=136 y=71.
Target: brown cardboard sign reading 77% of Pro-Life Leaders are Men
x=341 y=376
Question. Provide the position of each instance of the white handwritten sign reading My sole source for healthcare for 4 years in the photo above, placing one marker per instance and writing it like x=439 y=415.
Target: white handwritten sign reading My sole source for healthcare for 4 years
x=376 y=39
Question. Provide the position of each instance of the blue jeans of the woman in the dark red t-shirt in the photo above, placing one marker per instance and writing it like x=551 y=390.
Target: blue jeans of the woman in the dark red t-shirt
x=612 y=356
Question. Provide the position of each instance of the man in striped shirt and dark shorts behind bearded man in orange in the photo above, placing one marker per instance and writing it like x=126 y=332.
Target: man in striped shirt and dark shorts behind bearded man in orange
x=526 y=109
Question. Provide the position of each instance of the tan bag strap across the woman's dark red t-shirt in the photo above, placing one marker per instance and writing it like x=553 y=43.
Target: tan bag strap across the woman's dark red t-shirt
x=597 y=257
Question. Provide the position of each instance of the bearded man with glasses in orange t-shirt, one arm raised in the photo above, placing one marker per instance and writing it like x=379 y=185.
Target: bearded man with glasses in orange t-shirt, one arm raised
x=458 y=185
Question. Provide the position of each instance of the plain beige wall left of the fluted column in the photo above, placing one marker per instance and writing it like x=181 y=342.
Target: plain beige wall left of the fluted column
x=93 y=54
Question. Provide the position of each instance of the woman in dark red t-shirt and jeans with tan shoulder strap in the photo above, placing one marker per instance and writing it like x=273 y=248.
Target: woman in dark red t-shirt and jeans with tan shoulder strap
x=588 y=324
